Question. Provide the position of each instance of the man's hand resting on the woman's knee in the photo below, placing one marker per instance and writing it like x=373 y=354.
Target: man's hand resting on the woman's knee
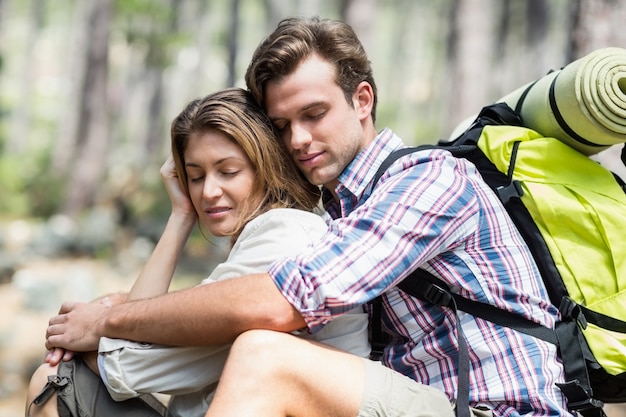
x=76 y=328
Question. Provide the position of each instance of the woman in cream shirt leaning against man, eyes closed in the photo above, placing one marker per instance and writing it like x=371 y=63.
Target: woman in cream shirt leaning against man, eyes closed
x=230 y=174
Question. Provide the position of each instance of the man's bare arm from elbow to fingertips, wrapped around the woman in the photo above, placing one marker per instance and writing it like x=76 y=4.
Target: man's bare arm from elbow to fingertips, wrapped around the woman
x=209 y=314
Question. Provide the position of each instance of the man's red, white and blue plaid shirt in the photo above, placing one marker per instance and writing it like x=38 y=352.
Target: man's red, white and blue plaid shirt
x=432 y=211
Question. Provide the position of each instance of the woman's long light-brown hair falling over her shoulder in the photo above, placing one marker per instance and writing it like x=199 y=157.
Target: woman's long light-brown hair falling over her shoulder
x=236 y=114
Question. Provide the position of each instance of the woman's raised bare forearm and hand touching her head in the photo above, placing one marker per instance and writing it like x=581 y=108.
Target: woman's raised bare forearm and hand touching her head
x=156 y=276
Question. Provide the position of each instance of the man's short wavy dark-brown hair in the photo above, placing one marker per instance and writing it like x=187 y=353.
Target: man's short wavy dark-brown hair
x=295 y=39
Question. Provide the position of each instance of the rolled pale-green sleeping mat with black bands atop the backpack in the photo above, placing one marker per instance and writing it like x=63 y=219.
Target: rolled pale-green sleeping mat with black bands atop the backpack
x=583 y=104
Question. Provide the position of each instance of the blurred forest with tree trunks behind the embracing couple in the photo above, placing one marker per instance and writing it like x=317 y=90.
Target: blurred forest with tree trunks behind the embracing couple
x=88 y=89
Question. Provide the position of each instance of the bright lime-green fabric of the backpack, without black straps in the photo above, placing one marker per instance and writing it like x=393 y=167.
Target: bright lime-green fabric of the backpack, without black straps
x=580 y=210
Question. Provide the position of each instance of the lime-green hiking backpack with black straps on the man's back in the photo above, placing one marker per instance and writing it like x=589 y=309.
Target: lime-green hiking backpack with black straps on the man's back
x=571 y=211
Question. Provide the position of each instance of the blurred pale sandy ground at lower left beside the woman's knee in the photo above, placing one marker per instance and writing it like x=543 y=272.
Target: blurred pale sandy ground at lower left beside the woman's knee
x=27 y=303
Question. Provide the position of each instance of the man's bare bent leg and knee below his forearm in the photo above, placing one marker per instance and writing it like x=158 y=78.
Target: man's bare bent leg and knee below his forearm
x=277 y=374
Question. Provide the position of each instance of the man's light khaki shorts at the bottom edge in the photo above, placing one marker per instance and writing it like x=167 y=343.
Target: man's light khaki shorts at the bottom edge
x=388 y=393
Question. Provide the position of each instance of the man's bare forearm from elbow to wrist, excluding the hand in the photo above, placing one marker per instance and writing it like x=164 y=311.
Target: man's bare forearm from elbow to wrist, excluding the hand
x=210 y=314
